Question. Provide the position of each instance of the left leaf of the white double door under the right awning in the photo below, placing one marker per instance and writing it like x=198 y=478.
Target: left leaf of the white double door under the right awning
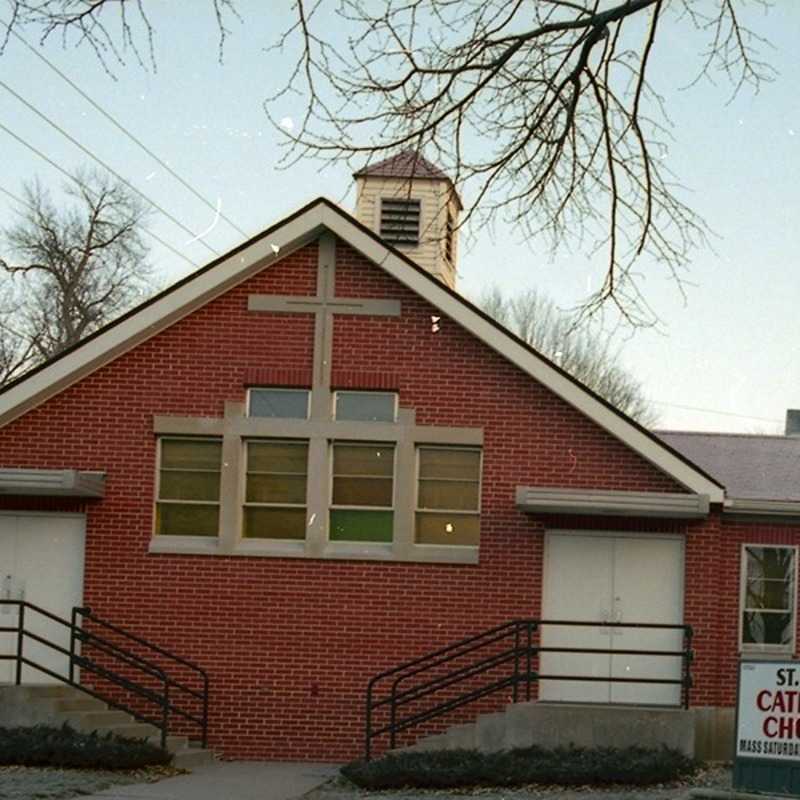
x=578 y=583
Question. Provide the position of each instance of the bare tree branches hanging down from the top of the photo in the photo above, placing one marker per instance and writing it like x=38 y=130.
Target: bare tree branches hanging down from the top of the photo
x=542 y=110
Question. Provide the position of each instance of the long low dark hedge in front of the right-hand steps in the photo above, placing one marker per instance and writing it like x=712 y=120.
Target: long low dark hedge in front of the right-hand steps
x=574 y=766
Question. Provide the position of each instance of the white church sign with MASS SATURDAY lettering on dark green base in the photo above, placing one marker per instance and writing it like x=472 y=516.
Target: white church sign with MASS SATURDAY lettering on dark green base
x=768 y=728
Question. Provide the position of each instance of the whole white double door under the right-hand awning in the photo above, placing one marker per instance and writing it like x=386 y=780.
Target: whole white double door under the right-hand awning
x=612 y=578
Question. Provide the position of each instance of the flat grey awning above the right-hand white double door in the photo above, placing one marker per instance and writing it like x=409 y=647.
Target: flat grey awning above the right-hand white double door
x=593 y=502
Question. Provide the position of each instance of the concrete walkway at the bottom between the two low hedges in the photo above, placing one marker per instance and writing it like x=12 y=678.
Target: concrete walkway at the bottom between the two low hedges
x=229 y=780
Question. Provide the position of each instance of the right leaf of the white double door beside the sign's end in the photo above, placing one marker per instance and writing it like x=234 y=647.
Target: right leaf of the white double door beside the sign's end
x=648 y=579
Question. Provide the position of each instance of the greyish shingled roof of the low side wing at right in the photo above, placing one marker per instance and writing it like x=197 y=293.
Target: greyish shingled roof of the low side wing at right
x=753 y=467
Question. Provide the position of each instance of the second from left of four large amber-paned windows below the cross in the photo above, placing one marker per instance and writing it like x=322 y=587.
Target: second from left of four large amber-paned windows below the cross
x=275 y=489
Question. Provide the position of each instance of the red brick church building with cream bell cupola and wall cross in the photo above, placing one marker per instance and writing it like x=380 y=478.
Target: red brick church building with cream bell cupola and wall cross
x=313 y=460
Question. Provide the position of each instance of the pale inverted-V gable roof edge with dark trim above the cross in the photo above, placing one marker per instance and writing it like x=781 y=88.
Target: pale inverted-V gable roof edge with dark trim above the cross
x=291 y=233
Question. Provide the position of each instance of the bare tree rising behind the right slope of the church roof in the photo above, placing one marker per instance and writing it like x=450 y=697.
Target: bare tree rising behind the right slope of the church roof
x=580 y=348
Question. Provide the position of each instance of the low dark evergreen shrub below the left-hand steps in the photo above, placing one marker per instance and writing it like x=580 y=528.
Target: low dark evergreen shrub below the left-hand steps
x=46 y=746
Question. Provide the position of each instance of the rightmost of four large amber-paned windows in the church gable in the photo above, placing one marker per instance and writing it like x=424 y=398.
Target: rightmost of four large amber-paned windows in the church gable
x=448 y=496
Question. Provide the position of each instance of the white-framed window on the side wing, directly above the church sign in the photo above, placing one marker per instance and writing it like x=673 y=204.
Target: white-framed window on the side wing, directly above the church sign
x=768 y=599
